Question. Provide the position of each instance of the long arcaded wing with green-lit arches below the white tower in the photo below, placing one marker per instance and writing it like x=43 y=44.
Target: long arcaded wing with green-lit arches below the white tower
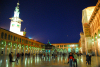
x=11 y=42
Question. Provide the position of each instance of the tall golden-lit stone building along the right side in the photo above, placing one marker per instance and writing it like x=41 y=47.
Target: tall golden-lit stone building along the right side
x=91 y=29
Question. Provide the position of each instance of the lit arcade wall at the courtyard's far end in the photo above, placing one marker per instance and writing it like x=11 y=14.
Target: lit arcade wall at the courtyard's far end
x=67 y=47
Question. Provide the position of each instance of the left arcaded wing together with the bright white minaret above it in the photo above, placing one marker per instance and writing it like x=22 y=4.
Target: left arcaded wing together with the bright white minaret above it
x=15 y=40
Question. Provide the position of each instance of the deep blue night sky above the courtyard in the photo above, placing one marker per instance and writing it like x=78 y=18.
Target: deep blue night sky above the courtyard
x=47 y=19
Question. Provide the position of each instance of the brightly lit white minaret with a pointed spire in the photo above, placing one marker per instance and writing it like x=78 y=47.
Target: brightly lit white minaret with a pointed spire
x=15 y=25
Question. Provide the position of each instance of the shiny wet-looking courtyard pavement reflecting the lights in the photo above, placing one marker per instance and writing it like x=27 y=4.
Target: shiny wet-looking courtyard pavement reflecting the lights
x=60 y=61
